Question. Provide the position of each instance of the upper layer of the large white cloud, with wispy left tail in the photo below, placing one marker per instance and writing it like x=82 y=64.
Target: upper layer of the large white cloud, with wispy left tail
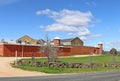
x=68 y=17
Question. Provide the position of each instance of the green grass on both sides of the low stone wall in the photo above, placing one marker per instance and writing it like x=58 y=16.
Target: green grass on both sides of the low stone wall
x=95 y=59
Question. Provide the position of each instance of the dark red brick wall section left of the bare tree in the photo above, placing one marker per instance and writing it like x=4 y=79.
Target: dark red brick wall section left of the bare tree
x=22 y=50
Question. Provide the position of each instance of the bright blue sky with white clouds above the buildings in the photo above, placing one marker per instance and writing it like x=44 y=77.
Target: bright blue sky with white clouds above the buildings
x=92 y=20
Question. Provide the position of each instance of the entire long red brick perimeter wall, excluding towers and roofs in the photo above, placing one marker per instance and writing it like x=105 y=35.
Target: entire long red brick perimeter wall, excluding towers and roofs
x=27 y=50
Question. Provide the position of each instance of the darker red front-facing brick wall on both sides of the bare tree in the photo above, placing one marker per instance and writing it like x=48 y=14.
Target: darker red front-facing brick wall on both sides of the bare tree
x=27 y=50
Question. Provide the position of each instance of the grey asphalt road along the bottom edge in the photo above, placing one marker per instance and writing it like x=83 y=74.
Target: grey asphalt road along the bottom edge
x=103 y=76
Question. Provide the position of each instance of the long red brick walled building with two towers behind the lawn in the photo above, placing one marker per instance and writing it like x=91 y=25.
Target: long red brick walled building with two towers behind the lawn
x=74 y=47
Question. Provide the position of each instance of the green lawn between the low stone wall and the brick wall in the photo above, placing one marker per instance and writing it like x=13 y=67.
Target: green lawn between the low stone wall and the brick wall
x=95 y=59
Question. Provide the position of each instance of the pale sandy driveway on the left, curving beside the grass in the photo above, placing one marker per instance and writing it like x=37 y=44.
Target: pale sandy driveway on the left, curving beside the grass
x=7 y=71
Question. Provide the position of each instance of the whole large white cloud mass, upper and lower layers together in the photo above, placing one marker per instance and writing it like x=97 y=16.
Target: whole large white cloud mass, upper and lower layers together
x=71 y=21
